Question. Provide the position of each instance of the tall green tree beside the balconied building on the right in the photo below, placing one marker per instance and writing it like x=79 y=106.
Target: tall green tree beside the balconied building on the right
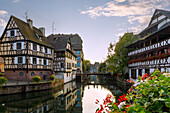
x=117 y=58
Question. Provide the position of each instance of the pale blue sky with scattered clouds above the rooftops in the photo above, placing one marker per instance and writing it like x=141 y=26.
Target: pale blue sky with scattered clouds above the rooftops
x=98 y=22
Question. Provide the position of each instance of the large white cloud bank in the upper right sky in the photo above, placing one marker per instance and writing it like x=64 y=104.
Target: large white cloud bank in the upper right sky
x=135 y=10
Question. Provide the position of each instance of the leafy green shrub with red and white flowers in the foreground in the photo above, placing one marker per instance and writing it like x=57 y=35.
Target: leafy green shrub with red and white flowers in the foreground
x=148 y=95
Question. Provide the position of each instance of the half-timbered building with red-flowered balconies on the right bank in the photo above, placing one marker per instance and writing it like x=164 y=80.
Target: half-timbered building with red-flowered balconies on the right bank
x=151 y=49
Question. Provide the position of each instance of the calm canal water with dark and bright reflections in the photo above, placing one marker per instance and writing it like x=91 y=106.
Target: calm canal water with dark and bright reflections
x=71 y=98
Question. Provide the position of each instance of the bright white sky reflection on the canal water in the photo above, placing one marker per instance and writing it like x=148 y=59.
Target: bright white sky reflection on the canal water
x=92 y=93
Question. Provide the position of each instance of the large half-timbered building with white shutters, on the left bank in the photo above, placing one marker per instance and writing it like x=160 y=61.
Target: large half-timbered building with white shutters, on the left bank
x=25 y=51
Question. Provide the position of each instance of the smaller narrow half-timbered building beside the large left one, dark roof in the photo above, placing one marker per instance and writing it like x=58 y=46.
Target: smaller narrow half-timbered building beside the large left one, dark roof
x=64 y=63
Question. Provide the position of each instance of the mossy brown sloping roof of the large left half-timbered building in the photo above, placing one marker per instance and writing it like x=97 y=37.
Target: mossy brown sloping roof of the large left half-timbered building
x=29 y=33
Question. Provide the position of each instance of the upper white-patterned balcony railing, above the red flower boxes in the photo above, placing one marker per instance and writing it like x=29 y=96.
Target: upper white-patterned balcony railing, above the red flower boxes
x=151 y=47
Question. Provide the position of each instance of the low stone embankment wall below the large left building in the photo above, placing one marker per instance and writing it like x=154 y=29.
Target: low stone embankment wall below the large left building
x=11 y=89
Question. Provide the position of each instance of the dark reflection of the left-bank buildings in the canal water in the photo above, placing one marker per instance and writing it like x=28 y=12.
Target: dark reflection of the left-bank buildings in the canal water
x=66 y=99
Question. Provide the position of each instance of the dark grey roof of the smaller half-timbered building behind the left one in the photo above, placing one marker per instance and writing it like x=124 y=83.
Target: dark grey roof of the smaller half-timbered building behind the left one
x=59 y=43
